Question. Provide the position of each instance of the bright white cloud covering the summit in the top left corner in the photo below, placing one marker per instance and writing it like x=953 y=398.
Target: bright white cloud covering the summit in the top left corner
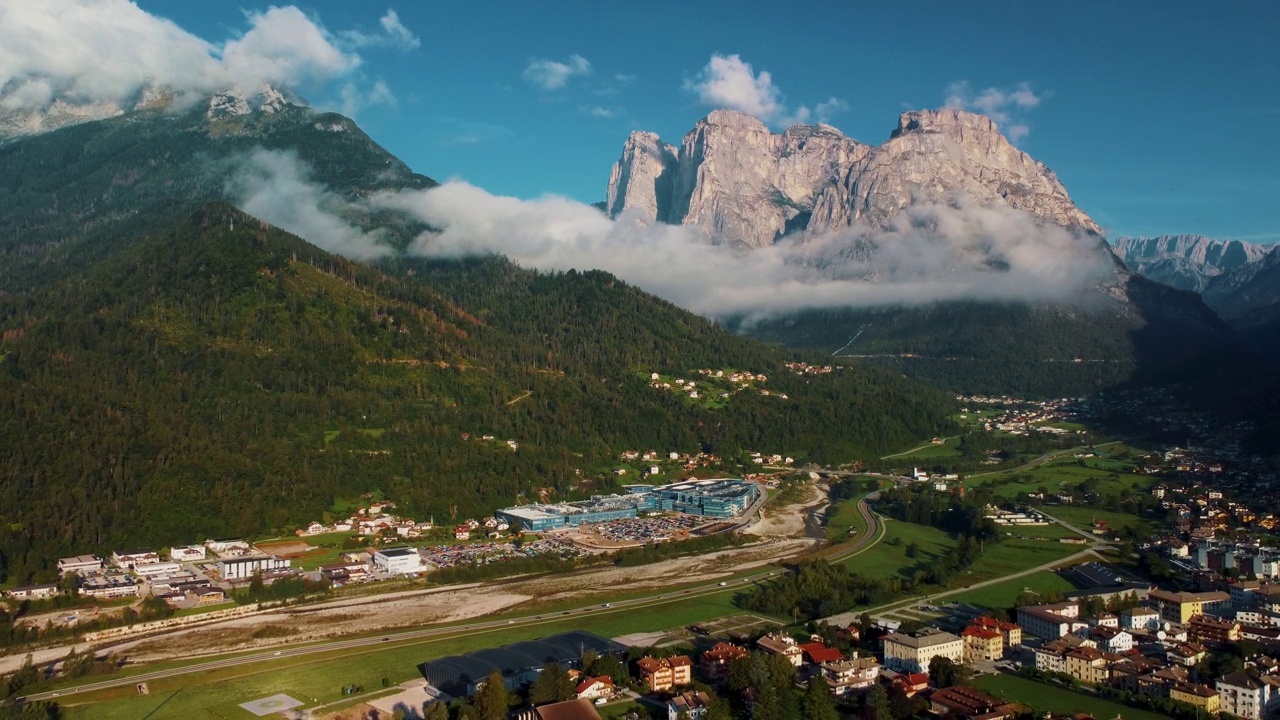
x=109 y=51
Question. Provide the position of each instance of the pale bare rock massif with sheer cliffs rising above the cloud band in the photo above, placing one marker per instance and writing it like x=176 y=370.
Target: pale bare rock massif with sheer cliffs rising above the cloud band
x=739 y=183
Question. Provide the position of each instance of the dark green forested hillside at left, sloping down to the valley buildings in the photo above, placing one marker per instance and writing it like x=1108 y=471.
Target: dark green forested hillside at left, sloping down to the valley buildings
x=200 y=373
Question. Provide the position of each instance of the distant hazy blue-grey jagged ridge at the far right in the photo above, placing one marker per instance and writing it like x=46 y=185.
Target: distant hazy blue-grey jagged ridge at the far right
x=1186 y=262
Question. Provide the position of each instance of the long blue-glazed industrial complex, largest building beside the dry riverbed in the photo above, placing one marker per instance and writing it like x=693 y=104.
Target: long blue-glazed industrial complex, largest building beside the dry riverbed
x=710 y=499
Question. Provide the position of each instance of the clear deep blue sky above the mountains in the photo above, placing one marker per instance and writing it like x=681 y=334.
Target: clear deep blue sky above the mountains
x=1158 y=117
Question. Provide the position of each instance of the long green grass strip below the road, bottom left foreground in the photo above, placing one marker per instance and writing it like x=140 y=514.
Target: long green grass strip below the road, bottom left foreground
x=217 y=695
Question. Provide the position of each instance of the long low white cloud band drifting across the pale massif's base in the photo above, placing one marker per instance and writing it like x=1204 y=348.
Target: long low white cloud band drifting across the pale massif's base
x=930 y=253
